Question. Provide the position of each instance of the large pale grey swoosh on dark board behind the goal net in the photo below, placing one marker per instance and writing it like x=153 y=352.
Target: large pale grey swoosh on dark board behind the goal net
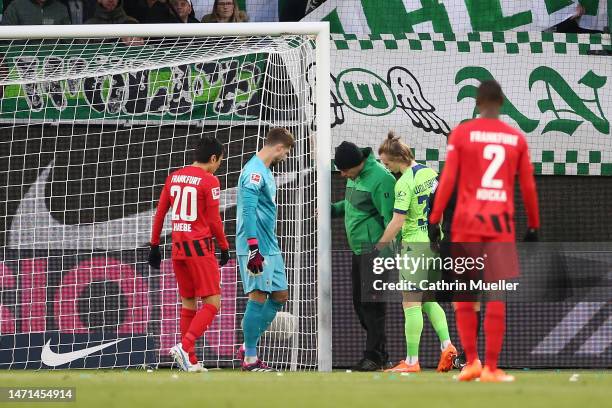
x=33 y=226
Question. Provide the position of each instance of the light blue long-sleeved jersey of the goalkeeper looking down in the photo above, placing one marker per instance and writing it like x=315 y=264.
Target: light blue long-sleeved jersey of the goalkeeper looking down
x=256 y=212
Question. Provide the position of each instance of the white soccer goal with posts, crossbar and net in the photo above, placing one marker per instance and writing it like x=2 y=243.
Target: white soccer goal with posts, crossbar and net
x=92 y=120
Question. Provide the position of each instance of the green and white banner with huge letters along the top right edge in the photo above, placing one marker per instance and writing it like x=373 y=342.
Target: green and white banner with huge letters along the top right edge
x=457 y=16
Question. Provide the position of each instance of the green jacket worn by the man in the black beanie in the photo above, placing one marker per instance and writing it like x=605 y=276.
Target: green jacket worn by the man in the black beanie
x=367 y=207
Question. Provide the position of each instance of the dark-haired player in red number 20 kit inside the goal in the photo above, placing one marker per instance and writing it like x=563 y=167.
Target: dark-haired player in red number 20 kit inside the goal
x=193 y=193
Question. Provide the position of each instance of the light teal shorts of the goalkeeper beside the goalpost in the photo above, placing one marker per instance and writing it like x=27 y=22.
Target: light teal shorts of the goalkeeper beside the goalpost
x=271 y=280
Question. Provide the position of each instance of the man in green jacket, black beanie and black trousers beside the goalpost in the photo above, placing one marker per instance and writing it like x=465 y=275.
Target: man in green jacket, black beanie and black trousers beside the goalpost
x=367 y=209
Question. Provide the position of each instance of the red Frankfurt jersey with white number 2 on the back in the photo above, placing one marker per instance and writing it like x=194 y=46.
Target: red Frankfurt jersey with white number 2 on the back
x=484 y=157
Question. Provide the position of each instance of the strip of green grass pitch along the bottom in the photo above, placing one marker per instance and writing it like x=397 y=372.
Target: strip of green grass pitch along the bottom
x=225 y=388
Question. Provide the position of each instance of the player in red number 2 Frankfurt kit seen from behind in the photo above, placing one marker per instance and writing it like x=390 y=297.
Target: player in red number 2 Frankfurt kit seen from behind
x=484 y=156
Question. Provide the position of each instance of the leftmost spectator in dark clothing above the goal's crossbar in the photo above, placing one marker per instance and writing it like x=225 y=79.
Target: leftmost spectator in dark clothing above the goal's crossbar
x=35 y=12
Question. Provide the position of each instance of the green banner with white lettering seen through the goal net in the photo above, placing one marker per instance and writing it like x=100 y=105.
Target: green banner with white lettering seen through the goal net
x=224 y=89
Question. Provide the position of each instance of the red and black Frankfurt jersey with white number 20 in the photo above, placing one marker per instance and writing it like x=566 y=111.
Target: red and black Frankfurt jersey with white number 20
x=193 y=196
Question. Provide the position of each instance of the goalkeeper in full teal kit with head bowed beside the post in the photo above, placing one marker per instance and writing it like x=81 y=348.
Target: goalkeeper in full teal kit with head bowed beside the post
x=260 y=260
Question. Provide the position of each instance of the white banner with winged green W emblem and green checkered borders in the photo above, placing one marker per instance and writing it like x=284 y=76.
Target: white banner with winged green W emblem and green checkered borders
x=558 y=92
